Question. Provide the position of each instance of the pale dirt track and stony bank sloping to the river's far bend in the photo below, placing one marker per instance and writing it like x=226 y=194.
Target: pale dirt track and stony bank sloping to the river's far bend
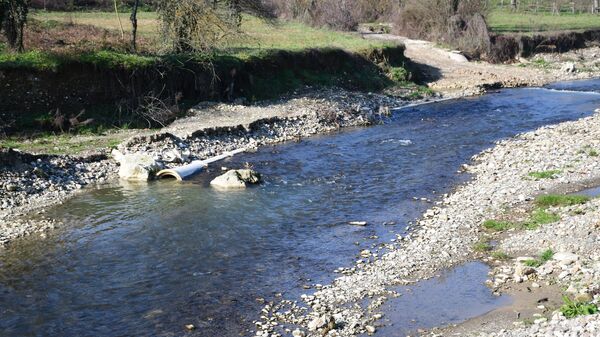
x=451 y=73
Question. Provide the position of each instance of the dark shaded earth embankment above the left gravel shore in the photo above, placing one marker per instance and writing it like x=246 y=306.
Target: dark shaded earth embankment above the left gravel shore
x=111 y=93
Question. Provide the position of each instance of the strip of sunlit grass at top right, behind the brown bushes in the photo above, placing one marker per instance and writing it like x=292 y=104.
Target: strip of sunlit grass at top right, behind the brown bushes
x=503 y=21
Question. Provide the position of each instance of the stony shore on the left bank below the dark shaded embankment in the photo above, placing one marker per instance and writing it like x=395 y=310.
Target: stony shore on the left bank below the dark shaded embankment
x=28 y=183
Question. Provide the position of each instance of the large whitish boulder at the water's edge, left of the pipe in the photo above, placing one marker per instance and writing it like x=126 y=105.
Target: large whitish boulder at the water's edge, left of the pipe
x=136 y=166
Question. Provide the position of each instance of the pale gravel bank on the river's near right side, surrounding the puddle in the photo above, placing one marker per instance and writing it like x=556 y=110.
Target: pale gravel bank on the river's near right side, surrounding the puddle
x=451 y=233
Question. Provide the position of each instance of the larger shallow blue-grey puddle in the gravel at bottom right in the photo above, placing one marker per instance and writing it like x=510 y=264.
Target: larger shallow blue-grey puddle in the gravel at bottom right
x=454 y=297
